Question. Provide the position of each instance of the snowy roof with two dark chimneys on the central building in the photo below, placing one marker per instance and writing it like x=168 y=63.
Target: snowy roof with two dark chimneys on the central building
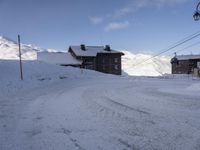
x=91 y=50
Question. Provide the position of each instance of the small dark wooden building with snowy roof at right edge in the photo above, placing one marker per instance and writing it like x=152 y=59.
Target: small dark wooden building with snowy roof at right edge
x=185 y=64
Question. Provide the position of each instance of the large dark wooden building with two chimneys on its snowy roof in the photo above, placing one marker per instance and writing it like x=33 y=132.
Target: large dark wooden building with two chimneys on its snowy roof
x=99 y=58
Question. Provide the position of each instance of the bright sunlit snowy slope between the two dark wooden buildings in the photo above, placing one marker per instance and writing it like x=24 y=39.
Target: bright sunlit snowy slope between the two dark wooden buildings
x=131 y=64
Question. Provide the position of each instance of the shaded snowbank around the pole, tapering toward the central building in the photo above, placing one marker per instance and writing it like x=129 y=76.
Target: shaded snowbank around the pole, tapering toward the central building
x=36 y=74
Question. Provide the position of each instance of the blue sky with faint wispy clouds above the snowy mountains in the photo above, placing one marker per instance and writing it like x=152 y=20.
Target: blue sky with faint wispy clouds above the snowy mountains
x=134 y=25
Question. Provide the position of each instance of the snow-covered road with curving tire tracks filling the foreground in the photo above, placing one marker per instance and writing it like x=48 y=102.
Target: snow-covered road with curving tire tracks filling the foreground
x=103 y=113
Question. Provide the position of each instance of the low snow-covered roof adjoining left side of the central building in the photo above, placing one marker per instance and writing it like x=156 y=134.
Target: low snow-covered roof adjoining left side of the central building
x=57 y=58
